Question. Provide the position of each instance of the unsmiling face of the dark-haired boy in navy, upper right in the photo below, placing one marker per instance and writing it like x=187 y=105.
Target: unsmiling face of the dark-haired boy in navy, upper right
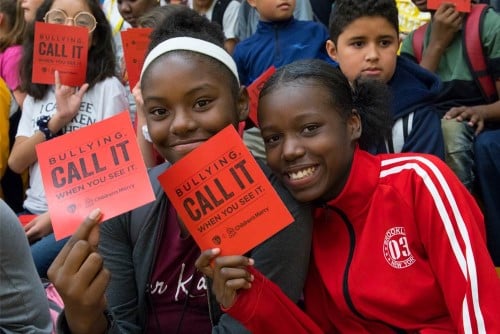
x=367 y=47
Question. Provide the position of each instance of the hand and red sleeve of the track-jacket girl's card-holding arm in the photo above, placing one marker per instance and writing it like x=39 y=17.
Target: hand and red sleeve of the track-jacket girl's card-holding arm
x=249 y=297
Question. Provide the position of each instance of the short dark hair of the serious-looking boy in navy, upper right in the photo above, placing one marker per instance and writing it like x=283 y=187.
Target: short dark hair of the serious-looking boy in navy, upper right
x=344 y=12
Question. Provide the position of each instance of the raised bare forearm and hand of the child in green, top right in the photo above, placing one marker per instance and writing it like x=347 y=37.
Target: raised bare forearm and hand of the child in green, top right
x=446 y=22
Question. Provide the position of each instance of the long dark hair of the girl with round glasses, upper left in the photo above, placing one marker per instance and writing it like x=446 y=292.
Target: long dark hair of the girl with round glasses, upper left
x=101 y=57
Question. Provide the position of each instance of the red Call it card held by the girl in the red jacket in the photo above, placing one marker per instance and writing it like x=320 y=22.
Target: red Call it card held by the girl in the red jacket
x=223 y=197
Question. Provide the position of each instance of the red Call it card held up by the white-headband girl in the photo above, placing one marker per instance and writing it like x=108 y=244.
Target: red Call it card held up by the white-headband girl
x=98 y=166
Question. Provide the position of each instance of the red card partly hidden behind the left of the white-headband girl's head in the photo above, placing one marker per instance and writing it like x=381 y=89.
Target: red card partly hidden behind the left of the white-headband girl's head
x=135 y=43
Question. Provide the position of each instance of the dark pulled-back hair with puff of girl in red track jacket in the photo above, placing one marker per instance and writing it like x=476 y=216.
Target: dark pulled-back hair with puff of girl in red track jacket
x=370 y=98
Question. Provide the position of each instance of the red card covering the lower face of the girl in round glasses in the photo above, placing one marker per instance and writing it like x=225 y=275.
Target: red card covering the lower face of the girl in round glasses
x=62 y=48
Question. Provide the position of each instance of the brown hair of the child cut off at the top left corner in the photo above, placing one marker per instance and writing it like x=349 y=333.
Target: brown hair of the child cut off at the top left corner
x=15 y=20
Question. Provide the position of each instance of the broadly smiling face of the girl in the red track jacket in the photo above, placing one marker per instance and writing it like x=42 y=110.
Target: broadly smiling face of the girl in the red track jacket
x=308 y=144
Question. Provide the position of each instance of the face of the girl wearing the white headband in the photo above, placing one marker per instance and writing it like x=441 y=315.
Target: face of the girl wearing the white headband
x=187 y=100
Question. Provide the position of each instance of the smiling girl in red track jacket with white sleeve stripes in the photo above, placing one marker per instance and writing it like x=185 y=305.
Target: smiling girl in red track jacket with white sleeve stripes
x=398 y=242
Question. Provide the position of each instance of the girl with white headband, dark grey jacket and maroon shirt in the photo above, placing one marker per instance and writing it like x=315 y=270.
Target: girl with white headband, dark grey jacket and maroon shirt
x=145 y=258
